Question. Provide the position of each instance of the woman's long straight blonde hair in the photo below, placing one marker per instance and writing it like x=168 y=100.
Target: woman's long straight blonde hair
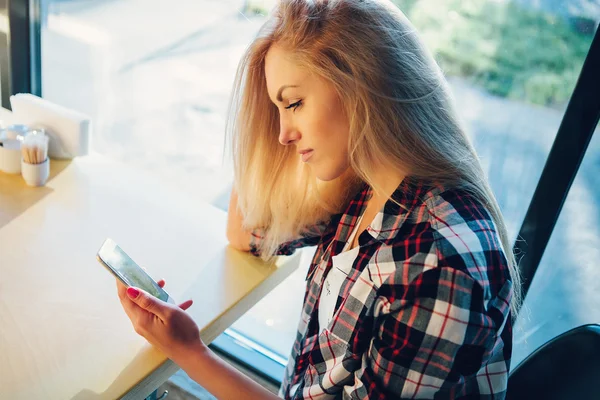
x=398 y=104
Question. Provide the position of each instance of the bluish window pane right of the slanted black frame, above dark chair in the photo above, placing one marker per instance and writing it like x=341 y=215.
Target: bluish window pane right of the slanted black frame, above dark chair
x=565 y=292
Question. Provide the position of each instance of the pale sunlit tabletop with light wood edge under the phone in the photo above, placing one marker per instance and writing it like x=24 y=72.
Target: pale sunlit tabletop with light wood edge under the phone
x=63 y=333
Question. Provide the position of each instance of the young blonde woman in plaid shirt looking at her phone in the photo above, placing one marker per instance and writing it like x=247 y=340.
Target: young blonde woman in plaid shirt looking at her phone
x=345 y=138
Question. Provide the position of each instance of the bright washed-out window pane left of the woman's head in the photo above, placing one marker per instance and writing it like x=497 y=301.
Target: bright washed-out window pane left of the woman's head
x=154 y=77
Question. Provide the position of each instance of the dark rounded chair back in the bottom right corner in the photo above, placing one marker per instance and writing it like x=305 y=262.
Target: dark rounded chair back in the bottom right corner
x=564 y=368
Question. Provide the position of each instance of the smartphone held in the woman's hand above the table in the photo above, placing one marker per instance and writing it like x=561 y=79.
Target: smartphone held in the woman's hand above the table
x=127 y=271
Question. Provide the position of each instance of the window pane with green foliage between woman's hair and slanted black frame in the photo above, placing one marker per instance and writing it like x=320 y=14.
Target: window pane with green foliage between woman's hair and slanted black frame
x=512 y=66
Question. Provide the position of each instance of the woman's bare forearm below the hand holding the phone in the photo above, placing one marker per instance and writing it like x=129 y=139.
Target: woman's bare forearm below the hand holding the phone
x=219 y=378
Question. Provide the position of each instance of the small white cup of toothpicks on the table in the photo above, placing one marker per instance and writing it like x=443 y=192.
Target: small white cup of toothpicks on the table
x=35 y=164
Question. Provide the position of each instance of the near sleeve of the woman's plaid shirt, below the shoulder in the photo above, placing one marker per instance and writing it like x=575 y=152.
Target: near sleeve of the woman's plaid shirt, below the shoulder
x=430 y=339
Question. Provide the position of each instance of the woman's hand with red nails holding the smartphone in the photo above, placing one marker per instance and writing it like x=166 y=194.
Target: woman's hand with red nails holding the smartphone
x=167 y=327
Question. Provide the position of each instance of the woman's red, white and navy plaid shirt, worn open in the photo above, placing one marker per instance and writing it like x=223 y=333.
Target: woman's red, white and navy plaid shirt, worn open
x=423 y=313
